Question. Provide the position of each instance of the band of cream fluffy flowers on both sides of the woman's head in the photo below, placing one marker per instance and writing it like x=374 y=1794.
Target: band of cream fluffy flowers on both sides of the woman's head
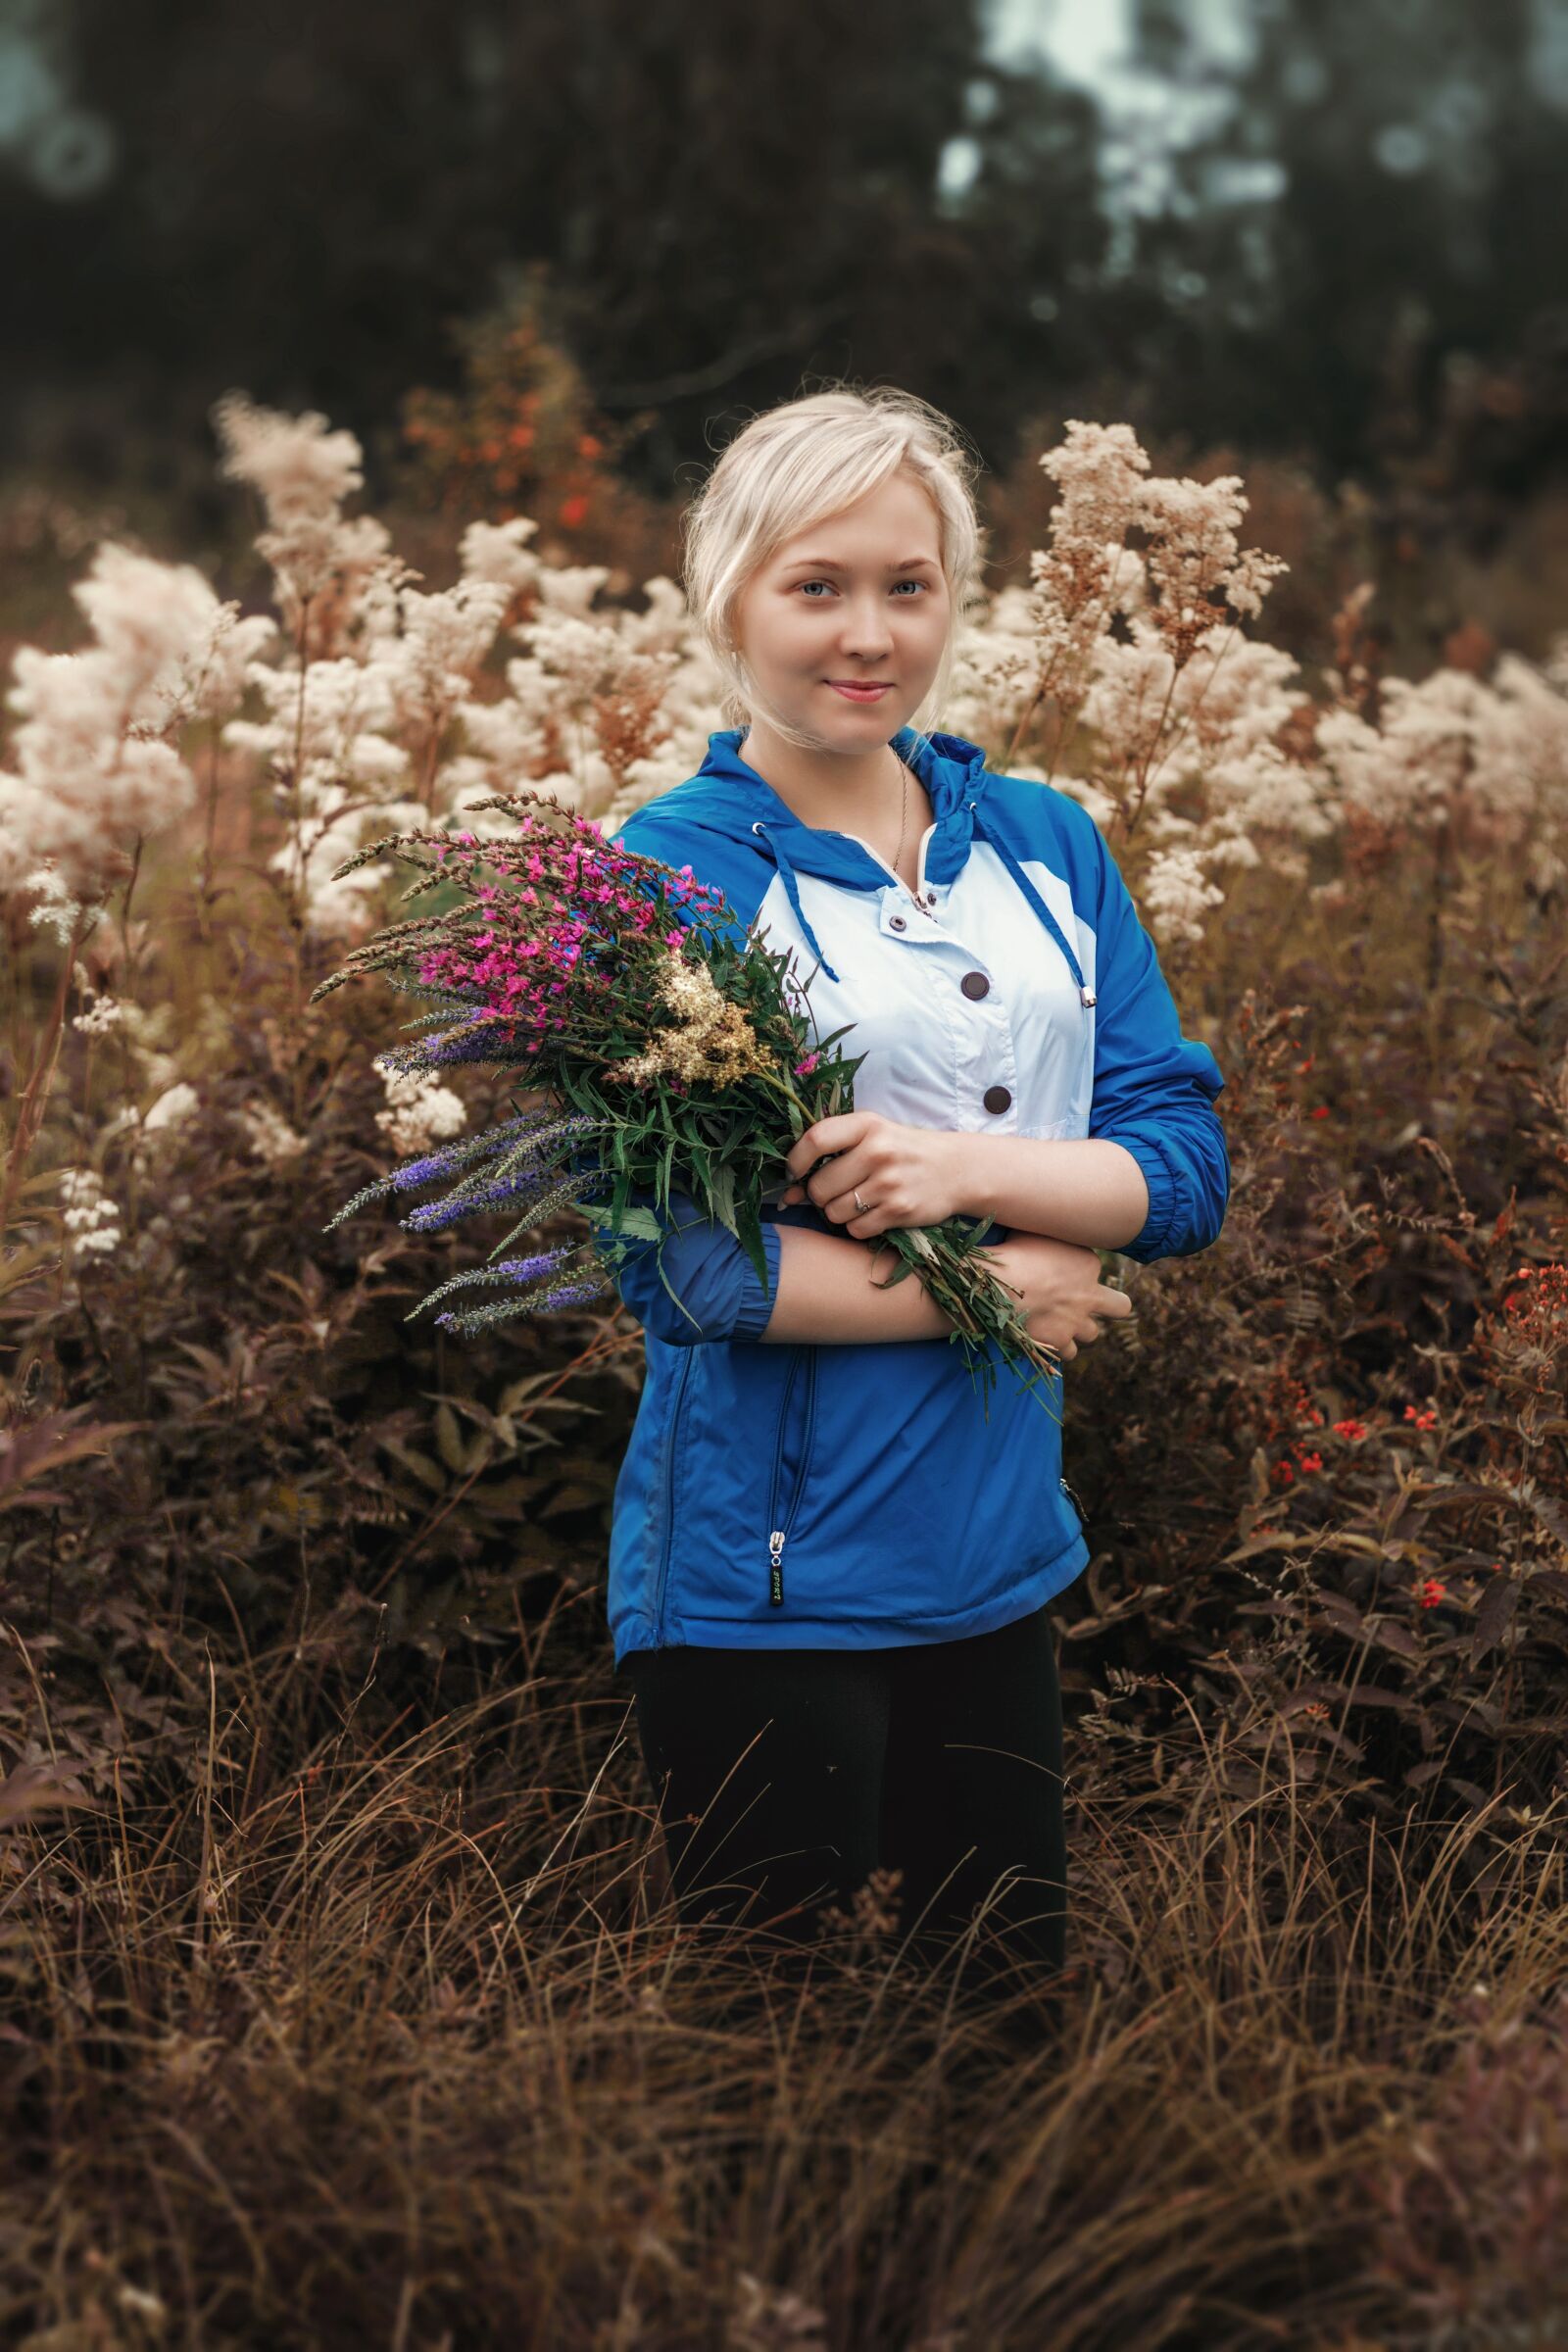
x=1123 y=667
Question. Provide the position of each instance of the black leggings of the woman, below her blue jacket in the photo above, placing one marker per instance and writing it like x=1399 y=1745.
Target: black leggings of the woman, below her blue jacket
x=791 y=1775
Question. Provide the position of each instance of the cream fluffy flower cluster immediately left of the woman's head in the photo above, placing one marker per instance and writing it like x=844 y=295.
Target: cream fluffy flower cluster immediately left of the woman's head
x=359 y=714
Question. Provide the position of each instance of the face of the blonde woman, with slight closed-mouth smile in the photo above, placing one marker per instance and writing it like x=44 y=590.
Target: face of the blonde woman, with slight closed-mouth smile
x=857 y=599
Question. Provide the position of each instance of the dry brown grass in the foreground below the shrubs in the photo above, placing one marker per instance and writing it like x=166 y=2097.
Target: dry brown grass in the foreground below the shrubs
x=396 y=2040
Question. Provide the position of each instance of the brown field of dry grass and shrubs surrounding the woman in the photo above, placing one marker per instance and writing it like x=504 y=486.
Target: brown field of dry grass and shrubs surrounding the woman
x=342 y=2000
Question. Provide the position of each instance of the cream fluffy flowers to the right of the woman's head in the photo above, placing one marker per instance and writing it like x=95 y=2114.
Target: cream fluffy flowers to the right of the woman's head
x=1195 y=744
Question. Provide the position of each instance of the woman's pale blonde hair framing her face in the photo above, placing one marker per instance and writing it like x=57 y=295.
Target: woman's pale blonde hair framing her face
x=798 y=465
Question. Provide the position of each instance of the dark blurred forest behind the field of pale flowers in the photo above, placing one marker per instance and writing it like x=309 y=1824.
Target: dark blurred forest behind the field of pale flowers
x=1353 y=258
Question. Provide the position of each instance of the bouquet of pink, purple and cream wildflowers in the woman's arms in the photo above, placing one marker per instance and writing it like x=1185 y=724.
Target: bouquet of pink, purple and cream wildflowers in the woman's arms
x=662 y=1053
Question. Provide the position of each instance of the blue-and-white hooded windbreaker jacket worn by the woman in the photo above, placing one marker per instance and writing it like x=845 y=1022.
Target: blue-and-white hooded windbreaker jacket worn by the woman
x=843 y=1497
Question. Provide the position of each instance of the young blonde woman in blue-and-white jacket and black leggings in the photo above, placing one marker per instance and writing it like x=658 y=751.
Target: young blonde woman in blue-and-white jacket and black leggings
x=831 y=1558
